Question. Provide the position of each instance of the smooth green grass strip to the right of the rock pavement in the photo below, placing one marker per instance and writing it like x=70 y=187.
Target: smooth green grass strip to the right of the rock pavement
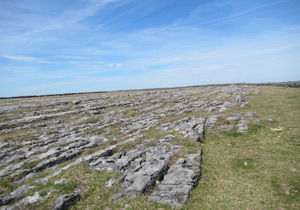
x=259 y=169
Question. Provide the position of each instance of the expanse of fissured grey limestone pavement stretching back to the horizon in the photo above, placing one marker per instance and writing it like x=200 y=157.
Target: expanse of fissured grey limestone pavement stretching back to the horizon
x=42 y=137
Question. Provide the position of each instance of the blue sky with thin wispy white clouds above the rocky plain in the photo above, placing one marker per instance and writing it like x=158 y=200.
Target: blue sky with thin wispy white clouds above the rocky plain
x=62 y=46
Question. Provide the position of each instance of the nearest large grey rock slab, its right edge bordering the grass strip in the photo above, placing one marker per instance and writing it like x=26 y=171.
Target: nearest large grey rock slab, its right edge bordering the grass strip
x=181 y=178
